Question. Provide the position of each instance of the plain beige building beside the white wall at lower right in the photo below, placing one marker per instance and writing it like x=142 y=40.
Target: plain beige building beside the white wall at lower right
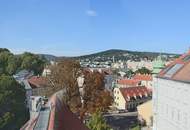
x=145 y=113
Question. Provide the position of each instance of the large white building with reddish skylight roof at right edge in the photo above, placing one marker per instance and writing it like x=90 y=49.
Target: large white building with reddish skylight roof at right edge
x=171 y=106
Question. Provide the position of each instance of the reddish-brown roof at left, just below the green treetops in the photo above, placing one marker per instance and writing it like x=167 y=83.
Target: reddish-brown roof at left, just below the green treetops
x=37 y=82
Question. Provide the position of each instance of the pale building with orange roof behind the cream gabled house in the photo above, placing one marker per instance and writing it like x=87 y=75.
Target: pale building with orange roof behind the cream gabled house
x=145 y=80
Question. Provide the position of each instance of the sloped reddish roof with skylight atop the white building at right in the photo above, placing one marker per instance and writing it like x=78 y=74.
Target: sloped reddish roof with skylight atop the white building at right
x=178 y=70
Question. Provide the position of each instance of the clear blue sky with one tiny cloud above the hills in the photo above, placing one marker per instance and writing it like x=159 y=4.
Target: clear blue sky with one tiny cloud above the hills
x=77 y=27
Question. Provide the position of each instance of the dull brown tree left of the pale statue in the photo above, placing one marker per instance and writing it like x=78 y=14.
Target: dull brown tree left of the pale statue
x=64 y=76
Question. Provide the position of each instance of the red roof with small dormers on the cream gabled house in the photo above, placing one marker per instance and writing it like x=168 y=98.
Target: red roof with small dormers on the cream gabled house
x=135 y=91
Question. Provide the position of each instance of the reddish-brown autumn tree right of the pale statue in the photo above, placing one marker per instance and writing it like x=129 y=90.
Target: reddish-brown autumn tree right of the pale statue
x=95 y=96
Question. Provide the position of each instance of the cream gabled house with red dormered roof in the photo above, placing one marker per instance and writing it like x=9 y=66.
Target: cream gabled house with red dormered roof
x=129 y=98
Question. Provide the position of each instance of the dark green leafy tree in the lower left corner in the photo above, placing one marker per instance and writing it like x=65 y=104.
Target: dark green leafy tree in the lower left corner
x=13 y=112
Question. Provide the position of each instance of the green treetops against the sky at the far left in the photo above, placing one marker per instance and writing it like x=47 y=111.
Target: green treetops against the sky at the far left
x=10 y=64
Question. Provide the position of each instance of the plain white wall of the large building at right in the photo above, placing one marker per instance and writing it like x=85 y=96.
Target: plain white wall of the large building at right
x=171 y=105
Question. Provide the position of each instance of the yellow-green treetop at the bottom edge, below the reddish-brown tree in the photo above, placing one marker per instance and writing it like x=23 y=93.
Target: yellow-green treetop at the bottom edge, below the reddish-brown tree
x=97 y=122
